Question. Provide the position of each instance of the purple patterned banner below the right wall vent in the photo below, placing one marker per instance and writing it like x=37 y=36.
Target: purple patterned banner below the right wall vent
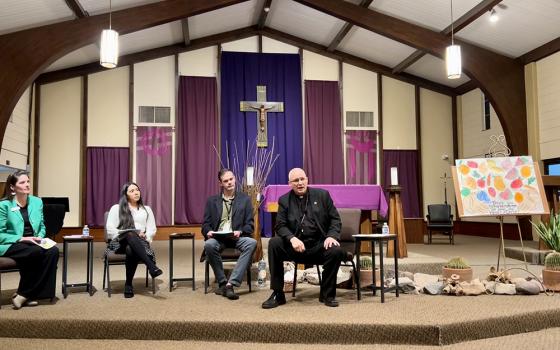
x=361 y=157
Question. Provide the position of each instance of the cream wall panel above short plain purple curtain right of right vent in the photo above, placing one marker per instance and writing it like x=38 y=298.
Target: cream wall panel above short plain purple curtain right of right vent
x=399 y=115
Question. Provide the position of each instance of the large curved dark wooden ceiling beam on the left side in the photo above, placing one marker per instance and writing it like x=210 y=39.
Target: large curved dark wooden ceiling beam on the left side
x=30 y=51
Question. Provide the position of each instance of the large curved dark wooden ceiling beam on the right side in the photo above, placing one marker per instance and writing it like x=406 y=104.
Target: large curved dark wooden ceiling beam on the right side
x=500 y=78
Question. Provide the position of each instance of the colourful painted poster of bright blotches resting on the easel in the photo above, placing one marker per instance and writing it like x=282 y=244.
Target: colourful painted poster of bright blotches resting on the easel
x=498 y=187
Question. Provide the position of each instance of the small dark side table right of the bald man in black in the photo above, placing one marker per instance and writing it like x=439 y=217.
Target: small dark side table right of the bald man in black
x=379 y=239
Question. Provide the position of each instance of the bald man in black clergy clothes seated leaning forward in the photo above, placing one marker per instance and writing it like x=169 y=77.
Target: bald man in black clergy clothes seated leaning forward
x=307 y=230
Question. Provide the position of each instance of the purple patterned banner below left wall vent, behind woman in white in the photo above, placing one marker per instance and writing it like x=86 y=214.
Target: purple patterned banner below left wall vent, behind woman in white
x=153 y=170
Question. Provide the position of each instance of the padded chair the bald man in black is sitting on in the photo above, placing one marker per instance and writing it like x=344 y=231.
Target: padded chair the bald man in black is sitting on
x=350 y=219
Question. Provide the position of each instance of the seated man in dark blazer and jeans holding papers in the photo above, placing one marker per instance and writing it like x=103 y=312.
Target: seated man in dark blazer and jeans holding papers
x=228 y=222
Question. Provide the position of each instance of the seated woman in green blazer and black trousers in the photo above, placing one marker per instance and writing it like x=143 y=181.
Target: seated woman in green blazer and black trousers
x=21 y=226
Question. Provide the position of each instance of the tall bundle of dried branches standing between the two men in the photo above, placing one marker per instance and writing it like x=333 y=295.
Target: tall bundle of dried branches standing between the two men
x=251 y=178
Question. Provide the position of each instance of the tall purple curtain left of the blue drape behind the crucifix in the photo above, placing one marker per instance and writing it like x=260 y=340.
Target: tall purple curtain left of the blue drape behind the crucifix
x=196 y=167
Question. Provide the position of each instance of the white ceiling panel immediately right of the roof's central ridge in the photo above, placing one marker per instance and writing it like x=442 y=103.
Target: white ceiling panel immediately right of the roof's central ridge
x=304 y=22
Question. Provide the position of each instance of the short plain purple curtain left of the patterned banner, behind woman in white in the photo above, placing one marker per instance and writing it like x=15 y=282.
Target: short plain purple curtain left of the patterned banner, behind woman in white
x=106 y=172
